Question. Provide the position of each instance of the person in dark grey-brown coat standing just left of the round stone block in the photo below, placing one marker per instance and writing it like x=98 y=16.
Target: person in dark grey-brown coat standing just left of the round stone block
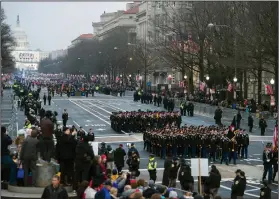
x=29 y=156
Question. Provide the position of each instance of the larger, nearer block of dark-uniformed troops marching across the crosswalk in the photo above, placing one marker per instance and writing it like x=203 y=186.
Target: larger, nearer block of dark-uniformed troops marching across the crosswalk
x=198 y=141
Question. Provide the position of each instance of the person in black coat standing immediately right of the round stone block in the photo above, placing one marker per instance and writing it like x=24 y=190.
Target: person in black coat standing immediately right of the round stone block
x=65 y=154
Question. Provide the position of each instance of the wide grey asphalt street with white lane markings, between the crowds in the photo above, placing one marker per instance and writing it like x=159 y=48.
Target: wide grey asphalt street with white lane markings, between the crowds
x=94 y=112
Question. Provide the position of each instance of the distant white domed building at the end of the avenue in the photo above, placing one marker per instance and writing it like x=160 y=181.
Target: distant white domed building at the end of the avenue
x=25 y=58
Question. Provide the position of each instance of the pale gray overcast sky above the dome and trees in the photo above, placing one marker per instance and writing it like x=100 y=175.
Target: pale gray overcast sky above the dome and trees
x=52 y=26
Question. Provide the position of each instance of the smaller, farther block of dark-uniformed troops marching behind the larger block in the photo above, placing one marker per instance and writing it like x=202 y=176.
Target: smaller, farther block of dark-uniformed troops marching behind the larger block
x=141 y=121
